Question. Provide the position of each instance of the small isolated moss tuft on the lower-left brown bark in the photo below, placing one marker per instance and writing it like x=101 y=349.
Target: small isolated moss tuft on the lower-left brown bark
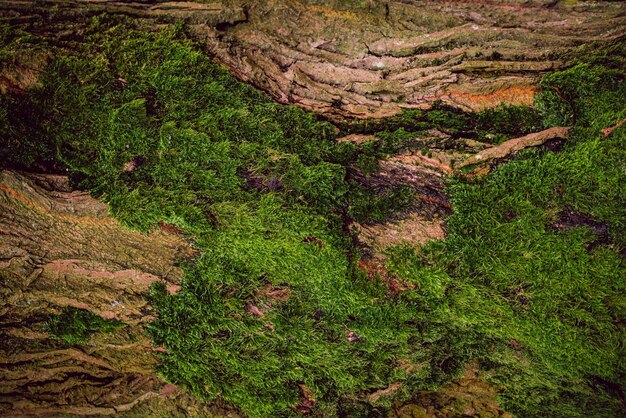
x=75 y=326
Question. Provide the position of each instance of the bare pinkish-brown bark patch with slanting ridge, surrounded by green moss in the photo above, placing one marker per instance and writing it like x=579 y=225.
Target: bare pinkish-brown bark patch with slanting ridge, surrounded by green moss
x=426 y=176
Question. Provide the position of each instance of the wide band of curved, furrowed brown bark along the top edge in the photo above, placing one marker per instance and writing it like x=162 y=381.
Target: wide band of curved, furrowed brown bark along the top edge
x=373 y=58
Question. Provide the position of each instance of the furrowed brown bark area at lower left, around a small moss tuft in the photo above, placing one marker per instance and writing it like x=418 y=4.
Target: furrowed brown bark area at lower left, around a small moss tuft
x=59 y=248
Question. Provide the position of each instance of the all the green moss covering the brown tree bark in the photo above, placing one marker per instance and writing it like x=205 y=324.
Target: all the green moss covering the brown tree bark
x=275 y=299
